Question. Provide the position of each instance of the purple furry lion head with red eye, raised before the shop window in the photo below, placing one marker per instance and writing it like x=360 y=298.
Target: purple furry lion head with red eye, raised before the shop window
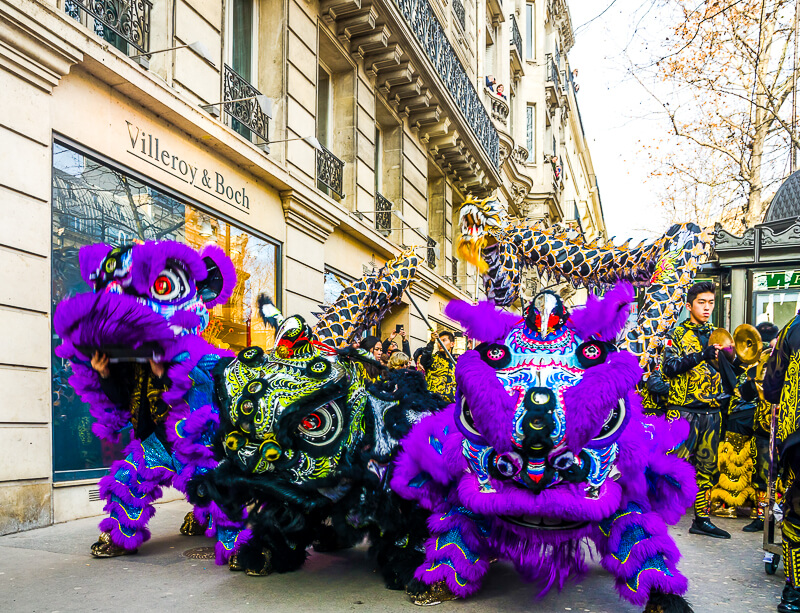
x=144 y=298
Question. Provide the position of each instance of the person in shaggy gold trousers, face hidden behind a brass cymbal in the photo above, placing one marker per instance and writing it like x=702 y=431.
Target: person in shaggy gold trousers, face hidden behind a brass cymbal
x=744 y=455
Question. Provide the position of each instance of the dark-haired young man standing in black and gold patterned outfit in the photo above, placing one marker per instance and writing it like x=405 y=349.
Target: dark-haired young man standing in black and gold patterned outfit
x=696 y=392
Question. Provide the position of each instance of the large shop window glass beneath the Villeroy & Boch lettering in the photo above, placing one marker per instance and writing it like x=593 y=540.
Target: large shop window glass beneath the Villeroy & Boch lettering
x=94 y=203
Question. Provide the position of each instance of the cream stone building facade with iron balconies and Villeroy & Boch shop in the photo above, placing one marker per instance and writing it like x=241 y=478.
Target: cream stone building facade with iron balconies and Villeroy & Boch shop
x=312 y=140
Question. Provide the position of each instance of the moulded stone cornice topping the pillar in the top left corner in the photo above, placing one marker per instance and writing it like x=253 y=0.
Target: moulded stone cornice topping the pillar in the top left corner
x=31 y=50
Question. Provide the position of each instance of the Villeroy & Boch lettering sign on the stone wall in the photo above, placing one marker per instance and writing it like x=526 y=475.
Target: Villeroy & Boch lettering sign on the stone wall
x=159 y=153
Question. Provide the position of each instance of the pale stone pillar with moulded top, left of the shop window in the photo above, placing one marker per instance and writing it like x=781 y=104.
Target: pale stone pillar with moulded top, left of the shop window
x=33 y=58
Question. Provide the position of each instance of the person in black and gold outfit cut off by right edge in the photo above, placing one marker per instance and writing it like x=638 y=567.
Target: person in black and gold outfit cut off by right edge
x=782 y=387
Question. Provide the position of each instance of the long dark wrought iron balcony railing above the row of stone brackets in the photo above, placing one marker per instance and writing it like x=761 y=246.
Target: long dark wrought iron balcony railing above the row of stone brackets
x=433 y=38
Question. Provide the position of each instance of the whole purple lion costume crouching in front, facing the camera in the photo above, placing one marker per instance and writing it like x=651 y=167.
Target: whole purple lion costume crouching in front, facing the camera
x=546 y=448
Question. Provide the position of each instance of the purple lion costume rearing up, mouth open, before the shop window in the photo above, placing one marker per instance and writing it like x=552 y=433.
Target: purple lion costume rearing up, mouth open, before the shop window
x=149 y=304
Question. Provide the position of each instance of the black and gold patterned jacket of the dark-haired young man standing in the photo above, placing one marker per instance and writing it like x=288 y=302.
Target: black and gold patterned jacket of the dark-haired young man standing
x=699 y=386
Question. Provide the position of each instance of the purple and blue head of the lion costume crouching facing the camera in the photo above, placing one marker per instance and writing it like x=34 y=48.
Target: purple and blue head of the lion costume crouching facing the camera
x=543 y=407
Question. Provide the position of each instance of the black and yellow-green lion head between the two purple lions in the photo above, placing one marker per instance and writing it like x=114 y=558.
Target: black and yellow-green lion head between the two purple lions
x=292 y=412
